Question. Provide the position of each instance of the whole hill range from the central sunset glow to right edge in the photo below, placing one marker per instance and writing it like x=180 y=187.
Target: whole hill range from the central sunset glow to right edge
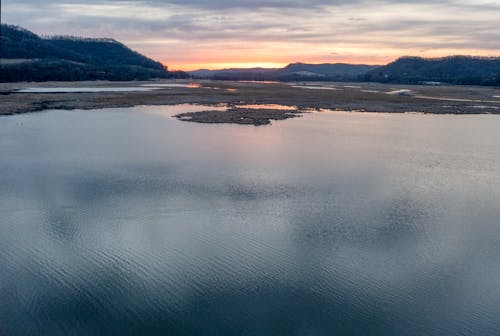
x=461 y=70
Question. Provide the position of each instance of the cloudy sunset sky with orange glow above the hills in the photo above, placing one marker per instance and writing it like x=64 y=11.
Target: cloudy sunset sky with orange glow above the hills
x=195 y=34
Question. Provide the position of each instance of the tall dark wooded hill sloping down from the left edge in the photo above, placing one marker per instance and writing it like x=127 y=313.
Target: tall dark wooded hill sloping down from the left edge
x=25 y=56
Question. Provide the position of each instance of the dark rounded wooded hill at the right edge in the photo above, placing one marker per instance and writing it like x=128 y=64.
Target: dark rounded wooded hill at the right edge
x=464 y=70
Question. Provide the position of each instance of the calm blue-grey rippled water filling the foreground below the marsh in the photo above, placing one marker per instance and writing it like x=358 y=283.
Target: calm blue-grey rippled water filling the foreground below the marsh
x=130 y=222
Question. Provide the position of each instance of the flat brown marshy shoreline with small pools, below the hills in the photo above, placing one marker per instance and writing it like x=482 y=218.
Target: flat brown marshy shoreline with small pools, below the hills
x=361 y=97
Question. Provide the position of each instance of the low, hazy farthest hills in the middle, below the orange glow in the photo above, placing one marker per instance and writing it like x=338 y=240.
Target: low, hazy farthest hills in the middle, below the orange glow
x=292 y=72
